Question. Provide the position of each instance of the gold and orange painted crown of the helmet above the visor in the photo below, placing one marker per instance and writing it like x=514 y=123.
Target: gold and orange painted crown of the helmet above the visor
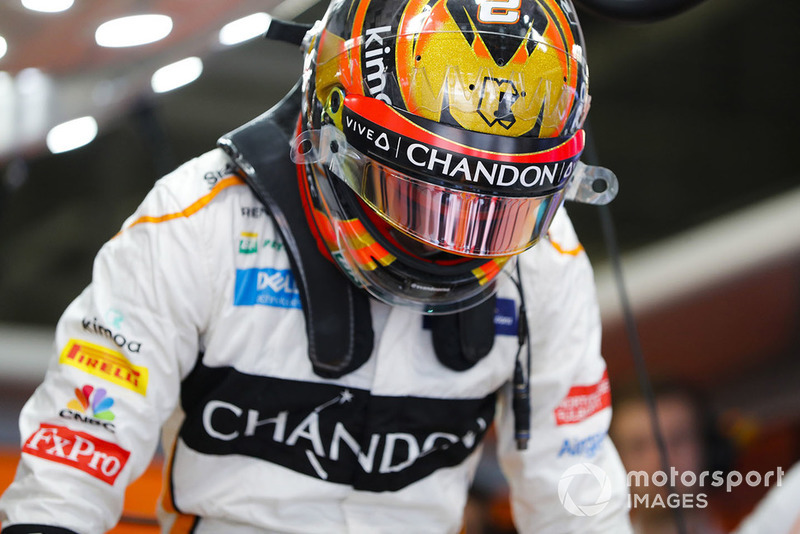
x=501 y=67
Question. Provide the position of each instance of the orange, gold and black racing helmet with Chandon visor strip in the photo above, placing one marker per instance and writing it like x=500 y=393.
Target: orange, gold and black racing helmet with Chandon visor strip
x=437 y=139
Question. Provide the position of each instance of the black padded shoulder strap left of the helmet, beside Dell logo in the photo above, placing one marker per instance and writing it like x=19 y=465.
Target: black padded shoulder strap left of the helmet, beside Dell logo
x=337 y=315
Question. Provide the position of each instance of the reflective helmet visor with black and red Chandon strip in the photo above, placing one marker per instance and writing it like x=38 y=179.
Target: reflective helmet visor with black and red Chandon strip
x=463 y=192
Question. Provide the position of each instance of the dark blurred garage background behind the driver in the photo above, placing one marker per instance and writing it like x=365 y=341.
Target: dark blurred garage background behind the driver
x=697 y=115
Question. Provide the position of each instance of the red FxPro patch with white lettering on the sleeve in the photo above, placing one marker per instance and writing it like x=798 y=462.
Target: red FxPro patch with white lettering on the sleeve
x=98 y=458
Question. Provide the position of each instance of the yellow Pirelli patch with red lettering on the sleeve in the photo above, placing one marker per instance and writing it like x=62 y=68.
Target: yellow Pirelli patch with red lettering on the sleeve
x=105 y=363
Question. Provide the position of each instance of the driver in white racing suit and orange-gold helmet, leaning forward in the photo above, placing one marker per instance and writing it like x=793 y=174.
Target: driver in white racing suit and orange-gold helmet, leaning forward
x=322 y=316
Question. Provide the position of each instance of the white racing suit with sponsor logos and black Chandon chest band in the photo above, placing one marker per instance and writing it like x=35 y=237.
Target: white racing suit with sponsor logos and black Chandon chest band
x=192 y=324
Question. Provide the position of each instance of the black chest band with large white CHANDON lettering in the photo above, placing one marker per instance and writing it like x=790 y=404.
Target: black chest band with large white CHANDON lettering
x=339 y=434
